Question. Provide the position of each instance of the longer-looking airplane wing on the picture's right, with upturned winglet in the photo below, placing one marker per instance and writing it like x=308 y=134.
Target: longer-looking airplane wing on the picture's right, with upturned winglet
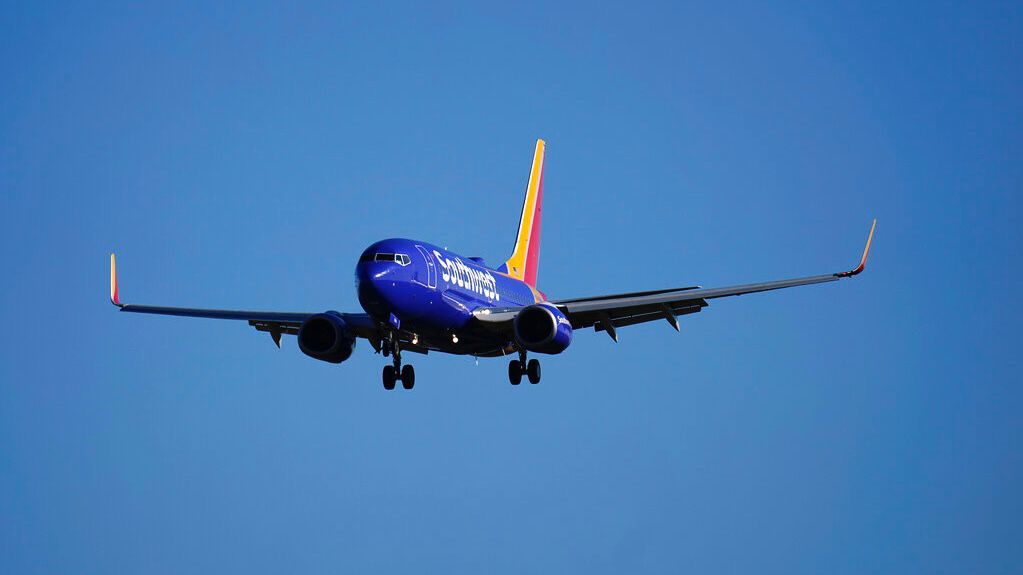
x=610 y=313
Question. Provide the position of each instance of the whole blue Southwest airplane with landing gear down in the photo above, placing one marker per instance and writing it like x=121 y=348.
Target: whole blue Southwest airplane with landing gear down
x=420 y=298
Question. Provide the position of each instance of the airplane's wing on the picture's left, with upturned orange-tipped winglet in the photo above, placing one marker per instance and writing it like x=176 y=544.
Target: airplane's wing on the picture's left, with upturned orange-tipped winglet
x=275 y=323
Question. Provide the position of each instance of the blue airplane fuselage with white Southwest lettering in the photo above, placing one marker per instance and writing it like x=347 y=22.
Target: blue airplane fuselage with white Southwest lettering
x=429 y=292
